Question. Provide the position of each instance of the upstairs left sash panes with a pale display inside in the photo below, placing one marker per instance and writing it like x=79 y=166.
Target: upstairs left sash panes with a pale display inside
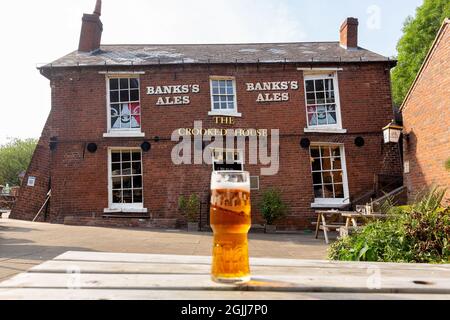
x=124 y=104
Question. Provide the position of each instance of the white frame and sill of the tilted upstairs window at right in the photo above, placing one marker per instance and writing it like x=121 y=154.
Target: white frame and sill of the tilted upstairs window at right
x=328 y=127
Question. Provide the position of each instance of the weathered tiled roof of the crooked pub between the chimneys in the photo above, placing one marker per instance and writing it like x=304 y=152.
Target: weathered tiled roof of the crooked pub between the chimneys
x=125 y=55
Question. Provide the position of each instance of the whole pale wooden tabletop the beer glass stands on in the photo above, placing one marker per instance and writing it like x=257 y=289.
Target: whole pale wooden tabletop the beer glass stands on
x=94 y=275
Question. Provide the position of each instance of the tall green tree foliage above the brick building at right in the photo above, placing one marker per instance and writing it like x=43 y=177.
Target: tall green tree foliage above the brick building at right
x=418 y=36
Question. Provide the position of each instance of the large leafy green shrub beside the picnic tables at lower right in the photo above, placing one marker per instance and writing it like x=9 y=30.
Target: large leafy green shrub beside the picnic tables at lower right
x=416 y=233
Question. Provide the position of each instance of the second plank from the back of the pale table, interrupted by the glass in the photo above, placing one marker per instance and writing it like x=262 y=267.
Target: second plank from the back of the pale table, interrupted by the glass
x=58 y=266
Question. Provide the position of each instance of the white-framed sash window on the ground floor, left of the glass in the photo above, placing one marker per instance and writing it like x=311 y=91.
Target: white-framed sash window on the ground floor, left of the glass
x=126 y=187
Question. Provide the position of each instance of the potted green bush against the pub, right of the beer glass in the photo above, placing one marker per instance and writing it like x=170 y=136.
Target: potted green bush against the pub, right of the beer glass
x=272 y=208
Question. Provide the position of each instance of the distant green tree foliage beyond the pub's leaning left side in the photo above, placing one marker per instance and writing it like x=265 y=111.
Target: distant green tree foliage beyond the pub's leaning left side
x=15 y=156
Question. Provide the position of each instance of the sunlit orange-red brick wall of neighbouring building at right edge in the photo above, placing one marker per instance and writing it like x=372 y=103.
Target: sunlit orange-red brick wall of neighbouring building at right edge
x=426 y=117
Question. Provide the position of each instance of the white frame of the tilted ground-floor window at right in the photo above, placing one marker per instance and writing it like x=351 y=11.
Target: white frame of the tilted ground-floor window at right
x=331 y=202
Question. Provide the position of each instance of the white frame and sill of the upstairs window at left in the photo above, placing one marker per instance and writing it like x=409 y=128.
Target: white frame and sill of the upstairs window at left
x=121 y=132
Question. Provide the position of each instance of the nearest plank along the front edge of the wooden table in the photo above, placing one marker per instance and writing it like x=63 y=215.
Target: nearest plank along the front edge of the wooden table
x=101 y=294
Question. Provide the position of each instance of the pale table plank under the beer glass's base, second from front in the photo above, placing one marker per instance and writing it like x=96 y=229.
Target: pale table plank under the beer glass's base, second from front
x=342 y=282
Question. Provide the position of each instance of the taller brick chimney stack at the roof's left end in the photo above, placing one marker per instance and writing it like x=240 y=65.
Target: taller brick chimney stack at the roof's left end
x=91 y=30
